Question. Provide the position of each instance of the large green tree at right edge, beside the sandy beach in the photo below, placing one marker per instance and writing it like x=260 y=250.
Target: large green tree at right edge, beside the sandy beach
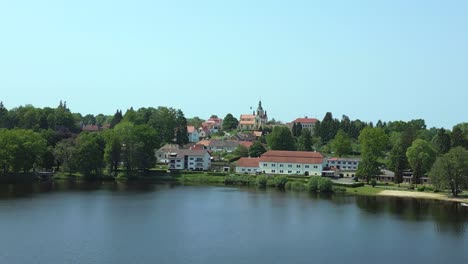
x=451 y=171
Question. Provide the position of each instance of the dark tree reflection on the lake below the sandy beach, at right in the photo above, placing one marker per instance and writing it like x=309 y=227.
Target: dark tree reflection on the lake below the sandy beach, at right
x=448 y=217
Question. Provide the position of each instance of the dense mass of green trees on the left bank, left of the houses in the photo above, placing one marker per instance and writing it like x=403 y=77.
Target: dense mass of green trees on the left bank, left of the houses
x=33 y=139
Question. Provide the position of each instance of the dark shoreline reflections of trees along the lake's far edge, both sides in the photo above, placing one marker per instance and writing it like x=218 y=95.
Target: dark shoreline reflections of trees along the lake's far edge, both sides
x=446 y=217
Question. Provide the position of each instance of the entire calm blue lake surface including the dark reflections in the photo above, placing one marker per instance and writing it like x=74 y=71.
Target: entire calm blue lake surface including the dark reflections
x=64 y=222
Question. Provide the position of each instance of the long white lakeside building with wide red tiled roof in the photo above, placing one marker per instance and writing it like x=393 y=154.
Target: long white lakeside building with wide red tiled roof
x=292 y=163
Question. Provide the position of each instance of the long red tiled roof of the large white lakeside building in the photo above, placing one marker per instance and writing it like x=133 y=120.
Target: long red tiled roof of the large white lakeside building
x=292 y=157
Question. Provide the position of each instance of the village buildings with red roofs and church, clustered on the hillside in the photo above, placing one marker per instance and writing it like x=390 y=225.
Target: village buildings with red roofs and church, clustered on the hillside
x=206 y=152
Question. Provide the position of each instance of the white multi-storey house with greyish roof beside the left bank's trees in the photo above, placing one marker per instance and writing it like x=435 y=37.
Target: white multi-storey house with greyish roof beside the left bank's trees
x=188 y=159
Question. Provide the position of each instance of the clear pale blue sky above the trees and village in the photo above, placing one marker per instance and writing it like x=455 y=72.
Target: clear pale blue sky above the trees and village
x=389 y=60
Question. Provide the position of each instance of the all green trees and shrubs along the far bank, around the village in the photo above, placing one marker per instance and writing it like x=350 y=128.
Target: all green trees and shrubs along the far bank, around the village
x=51 y=139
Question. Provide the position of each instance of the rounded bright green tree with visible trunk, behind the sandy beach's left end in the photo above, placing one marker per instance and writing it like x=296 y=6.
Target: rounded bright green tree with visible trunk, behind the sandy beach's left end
x=420 y=156
